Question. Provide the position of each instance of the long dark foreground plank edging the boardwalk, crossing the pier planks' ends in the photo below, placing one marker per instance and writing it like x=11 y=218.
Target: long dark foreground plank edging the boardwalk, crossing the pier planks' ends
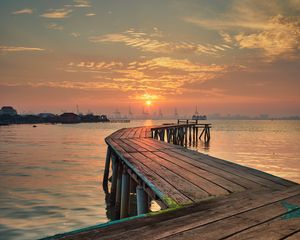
x=170 y=223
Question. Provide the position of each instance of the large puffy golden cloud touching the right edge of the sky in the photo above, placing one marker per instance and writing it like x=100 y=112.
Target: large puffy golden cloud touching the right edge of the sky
x=282 y=39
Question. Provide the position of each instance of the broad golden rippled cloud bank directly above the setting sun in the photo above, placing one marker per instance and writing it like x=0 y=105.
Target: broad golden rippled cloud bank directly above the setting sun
x=160 y=76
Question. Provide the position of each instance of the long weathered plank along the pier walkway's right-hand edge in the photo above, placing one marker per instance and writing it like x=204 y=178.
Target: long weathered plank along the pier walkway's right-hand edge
x=234 y=169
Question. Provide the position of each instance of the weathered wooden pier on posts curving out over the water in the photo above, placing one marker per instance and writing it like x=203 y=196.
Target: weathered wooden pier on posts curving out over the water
x=201 y=197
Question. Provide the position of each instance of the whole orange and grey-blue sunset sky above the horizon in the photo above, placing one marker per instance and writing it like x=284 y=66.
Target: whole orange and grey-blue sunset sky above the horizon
x=227 y=57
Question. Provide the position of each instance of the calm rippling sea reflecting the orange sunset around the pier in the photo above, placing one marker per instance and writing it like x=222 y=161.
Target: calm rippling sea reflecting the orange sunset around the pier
x=51 y=176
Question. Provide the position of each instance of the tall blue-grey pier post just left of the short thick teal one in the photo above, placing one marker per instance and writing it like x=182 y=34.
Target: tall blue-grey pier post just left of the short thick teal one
x=125 y=194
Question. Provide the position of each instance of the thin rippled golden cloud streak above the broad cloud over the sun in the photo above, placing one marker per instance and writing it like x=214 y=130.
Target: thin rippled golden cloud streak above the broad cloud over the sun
x=153 y=43
